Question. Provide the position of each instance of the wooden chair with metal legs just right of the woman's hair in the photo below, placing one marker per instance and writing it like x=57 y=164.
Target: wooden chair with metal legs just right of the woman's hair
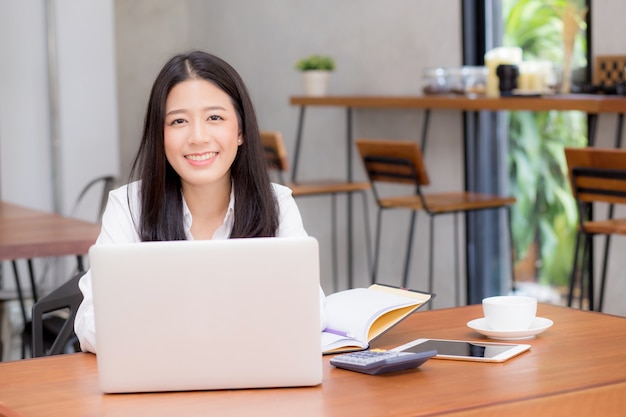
x=276 y=156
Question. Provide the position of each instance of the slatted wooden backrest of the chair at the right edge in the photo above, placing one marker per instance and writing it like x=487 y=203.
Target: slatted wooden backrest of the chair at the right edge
x=597 y=175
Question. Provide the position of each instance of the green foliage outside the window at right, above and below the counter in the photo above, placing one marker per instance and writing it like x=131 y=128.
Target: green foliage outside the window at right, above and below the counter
x=544 y=217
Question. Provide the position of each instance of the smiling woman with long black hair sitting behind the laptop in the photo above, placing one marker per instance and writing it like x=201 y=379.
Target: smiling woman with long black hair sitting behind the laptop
x=199 y=173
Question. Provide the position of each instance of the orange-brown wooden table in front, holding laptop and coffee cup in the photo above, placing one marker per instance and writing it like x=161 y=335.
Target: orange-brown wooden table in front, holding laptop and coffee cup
x=575 y=368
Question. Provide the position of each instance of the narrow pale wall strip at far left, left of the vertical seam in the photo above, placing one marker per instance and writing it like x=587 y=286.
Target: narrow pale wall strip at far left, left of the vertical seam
x=24 y=114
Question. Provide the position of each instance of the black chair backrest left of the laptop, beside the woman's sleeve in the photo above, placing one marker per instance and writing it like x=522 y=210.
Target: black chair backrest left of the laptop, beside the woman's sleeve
x=65 y=298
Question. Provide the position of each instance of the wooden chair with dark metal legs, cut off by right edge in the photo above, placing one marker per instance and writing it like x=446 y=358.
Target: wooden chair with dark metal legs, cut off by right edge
x=596 y=176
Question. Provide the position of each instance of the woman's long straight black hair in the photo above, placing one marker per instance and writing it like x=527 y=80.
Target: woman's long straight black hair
x=161 y=217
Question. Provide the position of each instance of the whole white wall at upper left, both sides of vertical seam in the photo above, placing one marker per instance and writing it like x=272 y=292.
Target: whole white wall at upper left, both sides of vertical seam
x=55 y=137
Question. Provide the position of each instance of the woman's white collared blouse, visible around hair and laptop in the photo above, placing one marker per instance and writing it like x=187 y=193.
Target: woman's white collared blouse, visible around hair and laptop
x=118 y=227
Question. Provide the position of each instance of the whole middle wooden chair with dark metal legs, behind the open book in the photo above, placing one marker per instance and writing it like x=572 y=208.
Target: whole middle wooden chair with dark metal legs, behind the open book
x=400 y=162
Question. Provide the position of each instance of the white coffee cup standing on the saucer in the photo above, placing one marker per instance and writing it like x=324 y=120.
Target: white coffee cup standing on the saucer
x=509 y=312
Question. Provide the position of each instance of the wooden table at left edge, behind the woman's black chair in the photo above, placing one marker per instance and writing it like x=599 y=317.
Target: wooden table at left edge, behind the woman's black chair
x=26 y=233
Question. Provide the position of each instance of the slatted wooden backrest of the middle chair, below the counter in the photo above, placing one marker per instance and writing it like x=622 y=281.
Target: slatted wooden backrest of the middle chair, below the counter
x=395 y=161
